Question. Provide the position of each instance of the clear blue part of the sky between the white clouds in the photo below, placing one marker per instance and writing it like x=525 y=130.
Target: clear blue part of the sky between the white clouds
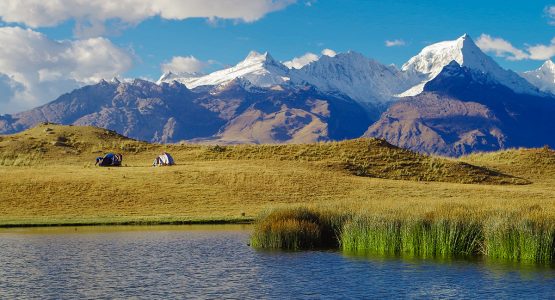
x=358 y=25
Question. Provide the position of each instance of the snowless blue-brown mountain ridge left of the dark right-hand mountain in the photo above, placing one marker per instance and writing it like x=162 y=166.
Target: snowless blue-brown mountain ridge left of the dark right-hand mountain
x=229 y=113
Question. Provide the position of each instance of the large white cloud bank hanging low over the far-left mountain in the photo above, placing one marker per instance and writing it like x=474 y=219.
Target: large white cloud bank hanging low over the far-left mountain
x=35 y=69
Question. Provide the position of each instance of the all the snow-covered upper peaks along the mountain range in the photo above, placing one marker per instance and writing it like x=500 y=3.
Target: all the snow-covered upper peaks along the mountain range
x=365 y=80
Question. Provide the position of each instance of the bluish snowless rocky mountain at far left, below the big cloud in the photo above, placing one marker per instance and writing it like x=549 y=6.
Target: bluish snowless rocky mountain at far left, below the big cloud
x=141 y=110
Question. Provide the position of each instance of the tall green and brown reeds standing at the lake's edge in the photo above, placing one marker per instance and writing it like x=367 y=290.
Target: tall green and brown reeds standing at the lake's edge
x=439 y=234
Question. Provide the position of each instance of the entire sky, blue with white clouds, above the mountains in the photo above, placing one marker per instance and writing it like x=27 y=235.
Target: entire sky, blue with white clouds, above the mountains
x=51 y=47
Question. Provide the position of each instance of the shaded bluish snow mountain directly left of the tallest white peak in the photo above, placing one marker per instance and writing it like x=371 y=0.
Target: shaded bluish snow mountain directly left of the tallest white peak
x=352 y=74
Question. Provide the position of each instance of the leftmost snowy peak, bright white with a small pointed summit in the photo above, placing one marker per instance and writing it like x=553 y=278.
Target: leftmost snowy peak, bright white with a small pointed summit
x=258 y=69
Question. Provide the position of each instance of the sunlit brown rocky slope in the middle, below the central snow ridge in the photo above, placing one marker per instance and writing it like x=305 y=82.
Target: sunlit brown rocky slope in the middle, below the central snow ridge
x=291 y=115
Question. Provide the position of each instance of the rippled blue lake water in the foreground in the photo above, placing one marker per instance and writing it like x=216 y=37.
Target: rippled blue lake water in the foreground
x=215 y=262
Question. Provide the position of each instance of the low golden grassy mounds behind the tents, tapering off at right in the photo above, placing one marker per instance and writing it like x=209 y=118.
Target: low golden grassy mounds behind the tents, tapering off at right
x=49 y=144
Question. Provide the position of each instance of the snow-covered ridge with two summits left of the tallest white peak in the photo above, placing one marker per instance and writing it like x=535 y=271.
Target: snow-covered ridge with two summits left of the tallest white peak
x=350 y=74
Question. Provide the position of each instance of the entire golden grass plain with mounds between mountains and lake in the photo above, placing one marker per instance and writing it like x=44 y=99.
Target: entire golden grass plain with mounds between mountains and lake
x=47 y=176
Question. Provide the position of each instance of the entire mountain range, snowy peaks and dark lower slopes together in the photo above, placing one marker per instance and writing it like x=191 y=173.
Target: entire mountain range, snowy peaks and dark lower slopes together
x=450 y=99
